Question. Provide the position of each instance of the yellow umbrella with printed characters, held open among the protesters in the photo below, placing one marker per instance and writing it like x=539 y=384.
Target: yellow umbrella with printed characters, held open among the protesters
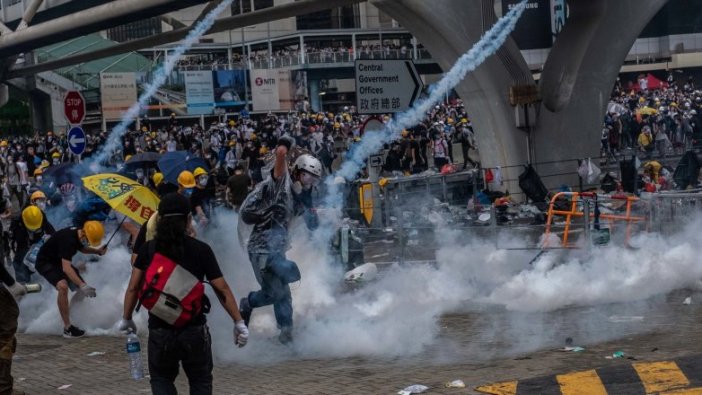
x=124 y=195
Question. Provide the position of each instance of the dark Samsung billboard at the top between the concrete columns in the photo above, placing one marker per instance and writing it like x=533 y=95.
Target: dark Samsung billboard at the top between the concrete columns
x=533 y=29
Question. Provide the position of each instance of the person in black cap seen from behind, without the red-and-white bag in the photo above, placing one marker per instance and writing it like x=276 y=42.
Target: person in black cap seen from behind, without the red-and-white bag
x=190 y=343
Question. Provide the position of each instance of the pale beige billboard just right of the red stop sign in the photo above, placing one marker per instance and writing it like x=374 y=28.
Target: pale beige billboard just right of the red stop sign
x=118 y=92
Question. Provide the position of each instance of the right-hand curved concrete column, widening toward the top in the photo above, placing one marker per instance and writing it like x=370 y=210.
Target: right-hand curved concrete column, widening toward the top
x=579 y=75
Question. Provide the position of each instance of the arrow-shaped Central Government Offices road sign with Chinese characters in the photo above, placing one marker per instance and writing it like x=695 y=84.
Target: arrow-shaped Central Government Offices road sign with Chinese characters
x=386 y=86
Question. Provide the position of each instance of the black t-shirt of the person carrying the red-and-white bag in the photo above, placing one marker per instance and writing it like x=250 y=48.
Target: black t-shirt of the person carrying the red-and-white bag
x=199 y=260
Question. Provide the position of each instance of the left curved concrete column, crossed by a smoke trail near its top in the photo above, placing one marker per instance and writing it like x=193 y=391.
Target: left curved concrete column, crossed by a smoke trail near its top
x=448 y=29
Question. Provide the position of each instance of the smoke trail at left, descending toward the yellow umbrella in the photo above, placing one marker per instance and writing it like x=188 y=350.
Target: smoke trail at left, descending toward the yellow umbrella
x=159 y=79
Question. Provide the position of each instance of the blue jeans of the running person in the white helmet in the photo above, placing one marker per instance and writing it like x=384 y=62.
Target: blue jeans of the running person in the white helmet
x=273 y=291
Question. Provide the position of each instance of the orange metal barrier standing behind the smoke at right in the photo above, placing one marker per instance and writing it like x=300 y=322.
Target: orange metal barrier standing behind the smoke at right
x=587 y=197
